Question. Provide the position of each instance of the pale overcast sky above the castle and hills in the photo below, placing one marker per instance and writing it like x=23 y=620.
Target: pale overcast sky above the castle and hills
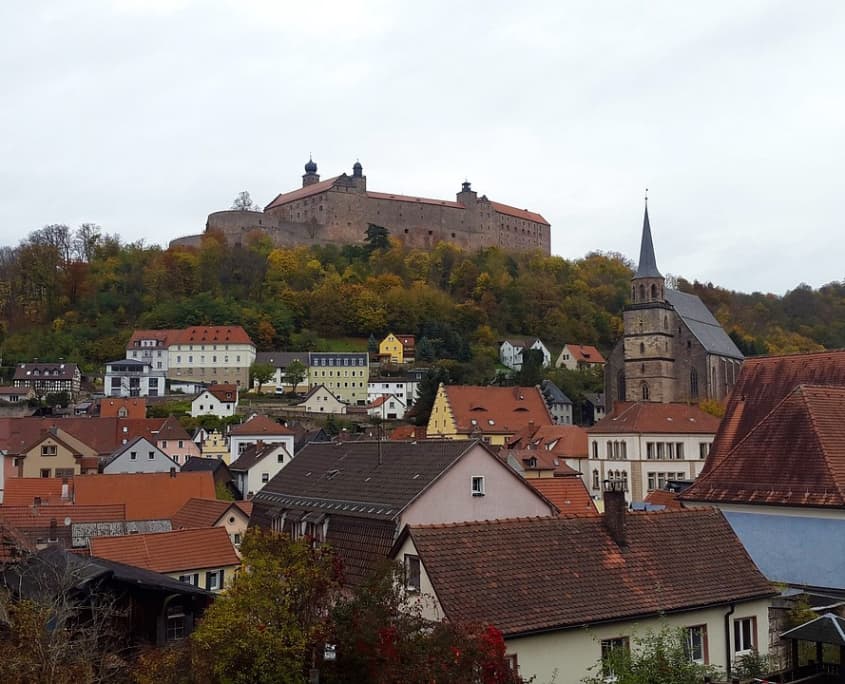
x=143 y=116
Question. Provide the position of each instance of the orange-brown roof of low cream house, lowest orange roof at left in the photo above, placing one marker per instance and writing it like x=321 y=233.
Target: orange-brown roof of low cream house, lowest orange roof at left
x=169 y=551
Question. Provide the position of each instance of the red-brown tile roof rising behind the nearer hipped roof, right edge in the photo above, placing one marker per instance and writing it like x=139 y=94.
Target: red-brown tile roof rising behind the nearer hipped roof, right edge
x=762 y=384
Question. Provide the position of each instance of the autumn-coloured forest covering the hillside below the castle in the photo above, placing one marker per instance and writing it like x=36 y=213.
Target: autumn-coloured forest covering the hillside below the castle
x=78 y=293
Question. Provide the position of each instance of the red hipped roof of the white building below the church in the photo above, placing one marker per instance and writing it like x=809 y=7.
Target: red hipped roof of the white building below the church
x=651 y=417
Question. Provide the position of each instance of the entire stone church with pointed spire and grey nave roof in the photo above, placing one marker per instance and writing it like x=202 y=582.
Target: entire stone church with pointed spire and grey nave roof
x=673 y=349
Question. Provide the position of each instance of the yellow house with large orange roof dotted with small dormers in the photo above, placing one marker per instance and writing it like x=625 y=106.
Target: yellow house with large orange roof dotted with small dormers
x=492 y=414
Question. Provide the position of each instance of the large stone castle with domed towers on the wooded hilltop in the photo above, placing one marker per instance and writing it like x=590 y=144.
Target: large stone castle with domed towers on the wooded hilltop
x=339 y=209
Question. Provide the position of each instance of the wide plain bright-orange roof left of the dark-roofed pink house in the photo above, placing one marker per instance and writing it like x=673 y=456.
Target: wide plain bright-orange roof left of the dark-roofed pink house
x=147 y=496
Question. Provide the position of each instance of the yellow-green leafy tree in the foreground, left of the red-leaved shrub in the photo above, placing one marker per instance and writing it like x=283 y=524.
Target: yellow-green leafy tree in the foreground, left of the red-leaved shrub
x=265 y=627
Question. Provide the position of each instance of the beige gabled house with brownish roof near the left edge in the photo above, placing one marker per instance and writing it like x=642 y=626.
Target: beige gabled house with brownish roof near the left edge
x=56 y=454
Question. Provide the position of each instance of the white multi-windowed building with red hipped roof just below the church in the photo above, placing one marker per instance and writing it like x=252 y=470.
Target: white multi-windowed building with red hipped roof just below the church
x=643 y=445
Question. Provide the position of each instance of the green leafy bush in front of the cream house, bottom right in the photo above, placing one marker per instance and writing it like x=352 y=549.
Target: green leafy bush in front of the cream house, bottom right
x=655 y=658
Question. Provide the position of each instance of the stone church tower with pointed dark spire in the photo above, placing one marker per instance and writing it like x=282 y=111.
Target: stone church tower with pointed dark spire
x=648 y=372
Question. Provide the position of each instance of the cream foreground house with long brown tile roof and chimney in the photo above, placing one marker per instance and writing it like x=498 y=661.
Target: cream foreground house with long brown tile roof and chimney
x=555 y=634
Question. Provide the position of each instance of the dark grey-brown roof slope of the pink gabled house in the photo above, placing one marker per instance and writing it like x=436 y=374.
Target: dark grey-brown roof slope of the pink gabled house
x=347 y=477
